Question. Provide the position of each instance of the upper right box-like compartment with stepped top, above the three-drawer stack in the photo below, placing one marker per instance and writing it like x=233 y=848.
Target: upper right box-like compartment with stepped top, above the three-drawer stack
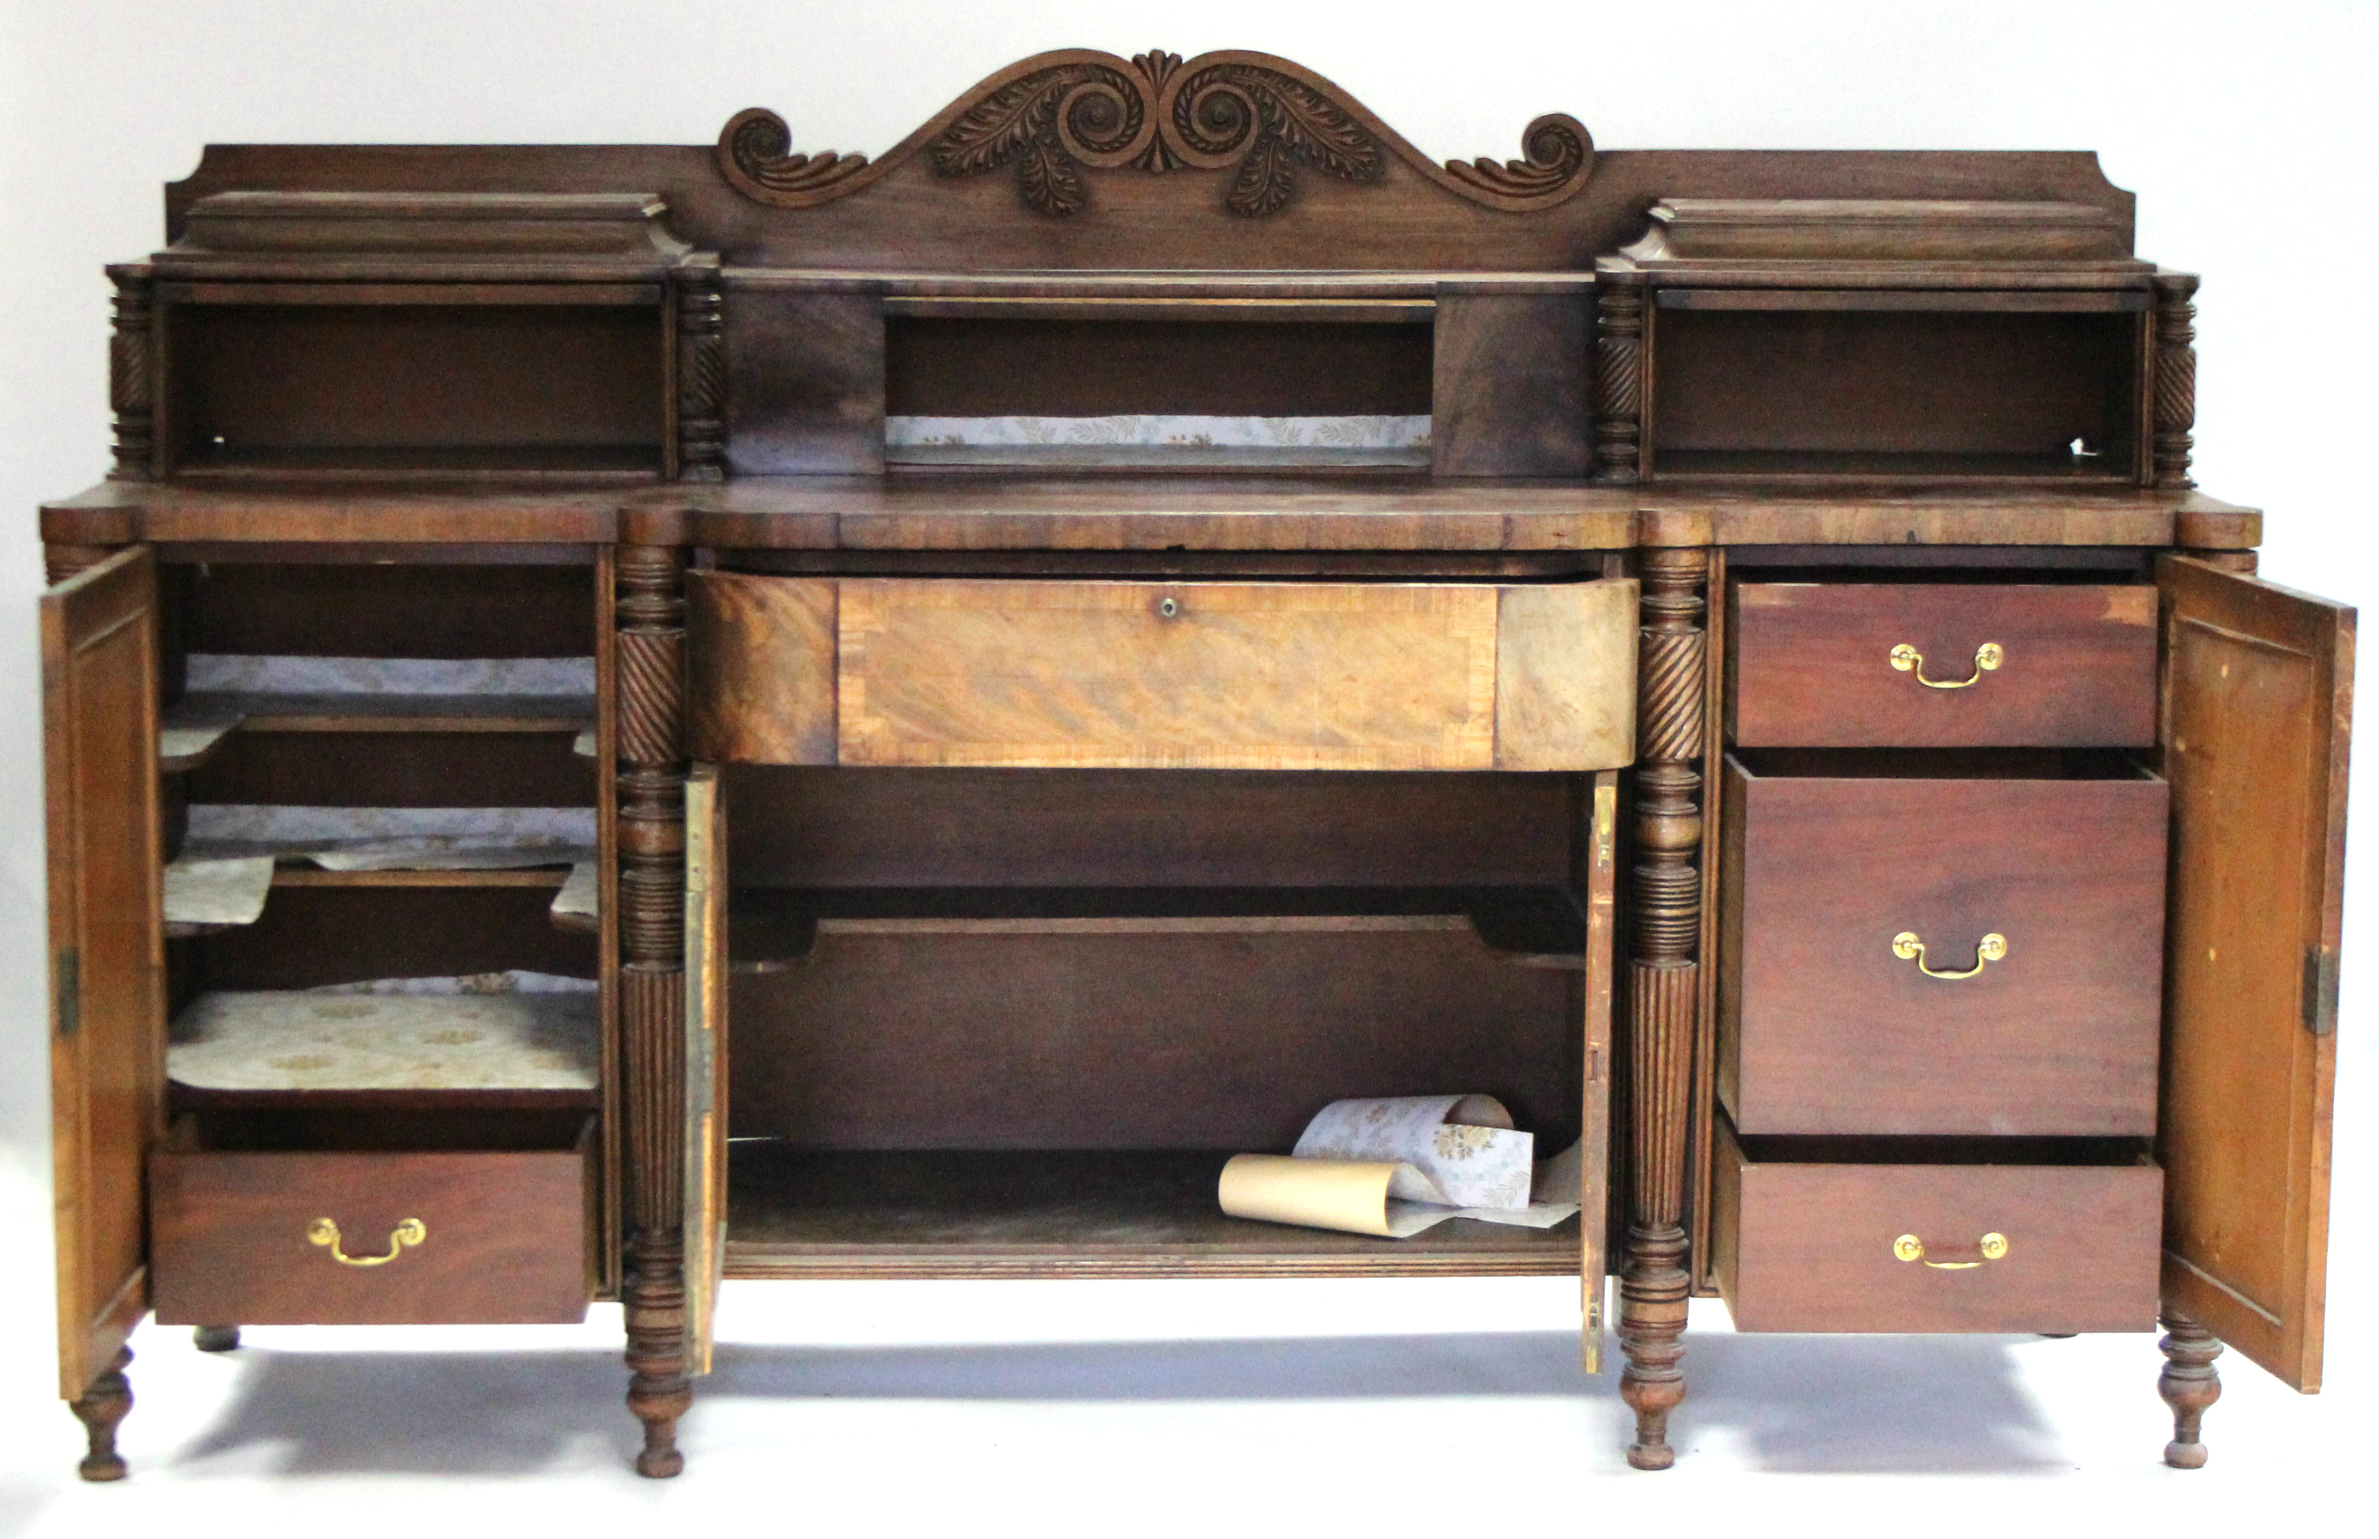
x=1890 y=341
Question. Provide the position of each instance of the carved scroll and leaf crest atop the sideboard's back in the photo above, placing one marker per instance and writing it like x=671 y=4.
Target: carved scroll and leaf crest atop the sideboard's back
x=1057 y=115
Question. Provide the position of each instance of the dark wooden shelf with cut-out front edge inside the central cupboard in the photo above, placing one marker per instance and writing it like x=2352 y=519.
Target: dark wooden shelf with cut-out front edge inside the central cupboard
x=777 y=926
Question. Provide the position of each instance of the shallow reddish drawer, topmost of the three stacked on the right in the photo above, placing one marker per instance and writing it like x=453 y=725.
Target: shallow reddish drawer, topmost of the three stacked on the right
x=1940 y=665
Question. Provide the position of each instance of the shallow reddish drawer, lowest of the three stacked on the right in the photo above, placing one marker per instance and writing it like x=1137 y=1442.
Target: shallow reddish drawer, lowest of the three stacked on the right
x=1935 y=1248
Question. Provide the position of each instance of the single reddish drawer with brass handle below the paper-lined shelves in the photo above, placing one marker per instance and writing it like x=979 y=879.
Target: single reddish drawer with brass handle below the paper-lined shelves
x=506 y=1238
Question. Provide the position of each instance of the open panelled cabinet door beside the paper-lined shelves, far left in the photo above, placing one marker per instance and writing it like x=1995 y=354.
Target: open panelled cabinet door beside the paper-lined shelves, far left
x=99 y=679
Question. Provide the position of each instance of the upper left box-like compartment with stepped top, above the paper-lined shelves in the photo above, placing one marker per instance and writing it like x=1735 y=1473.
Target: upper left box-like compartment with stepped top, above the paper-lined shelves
x=432 y=337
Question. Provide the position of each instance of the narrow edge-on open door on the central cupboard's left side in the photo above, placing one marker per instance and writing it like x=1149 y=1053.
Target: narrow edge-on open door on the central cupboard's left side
x=705 y=1060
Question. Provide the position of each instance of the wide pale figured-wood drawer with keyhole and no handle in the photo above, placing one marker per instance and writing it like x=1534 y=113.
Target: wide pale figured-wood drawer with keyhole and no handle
x=1162 y=674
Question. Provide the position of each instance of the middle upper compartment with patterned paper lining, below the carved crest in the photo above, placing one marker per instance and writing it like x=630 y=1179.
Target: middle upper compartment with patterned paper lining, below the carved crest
x=1460 y=375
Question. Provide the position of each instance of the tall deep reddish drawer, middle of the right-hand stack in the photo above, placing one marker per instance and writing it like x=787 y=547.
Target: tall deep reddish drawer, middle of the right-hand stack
x=1826 y=1026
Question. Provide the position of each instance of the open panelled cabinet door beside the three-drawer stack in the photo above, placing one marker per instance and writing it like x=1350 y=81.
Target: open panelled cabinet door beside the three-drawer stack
x=2259 y=693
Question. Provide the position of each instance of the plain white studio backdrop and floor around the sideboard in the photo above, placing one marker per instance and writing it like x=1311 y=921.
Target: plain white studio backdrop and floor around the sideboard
x=2249 y=137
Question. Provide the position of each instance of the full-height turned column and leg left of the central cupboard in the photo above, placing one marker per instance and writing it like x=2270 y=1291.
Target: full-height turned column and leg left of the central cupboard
x=653 y=986
